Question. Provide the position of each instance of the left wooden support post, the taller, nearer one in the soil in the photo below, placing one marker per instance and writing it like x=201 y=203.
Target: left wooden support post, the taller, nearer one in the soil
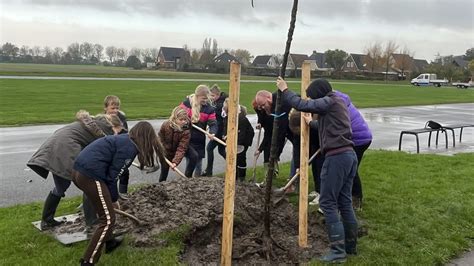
x=231 y=159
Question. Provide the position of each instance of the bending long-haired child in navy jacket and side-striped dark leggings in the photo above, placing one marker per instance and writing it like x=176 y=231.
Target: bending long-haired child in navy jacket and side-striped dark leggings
x=98 y=168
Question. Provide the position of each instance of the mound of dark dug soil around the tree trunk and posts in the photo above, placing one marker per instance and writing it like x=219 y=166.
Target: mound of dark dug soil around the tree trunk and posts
x=197 y=203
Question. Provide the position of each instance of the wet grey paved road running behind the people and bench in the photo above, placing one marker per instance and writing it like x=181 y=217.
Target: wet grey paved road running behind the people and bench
x=21 y=185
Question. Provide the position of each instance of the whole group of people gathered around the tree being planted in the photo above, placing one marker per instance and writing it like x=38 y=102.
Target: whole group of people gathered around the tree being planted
x=96 y=151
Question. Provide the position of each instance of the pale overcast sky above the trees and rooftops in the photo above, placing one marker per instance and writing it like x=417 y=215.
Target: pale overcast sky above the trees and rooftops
x=425 y=27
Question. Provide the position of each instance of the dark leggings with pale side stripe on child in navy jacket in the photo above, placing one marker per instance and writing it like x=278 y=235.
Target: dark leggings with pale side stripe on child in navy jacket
x=99 y=195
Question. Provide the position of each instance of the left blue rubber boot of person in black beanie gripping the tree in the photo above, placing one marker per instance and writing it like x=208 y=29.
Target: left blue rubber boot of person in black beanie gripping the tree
x=337 y=252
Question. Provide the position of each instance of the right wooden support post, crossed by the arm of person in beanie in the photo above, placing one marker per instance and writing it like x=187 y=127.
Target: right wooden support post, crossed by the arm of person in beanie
x=304 y=154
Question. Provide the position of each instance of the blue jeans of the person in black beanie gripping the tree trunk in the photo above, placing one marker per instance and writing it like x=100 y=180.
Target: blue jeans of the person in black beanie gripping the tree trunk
x=337 y=176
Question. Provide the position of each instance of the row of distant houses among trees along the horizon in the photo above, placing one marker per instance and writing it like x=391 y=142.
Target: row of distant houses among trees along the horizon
x=399 y=64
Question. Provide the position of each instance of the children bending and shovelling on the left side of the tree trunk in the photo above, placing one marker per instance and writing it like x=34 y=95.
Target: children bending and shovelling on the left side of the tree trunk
x=95 y=152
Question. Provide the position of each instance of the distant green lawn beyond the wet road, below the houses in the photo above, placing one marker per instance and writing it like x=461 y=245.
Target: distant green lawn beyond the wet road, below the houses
x=56 y=101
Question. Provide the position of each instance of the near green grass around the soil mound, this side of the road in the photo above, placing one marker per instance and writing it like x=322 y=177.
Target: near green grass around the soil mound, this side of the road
x=417 y=210
